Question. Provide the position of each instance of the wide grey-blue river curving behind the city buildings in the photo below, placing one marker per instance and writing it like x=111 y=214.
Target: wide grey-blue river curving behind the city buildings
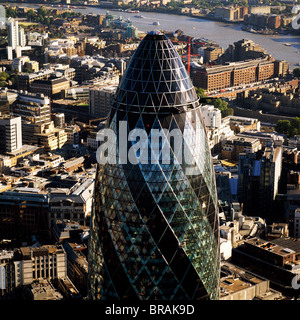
x=222 y=33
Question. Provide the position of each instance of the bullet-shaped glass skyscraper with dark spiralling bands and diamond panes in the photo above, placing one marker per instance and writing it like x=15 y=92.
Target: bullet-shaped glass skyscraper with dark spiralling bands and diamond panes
x=154 y=227
